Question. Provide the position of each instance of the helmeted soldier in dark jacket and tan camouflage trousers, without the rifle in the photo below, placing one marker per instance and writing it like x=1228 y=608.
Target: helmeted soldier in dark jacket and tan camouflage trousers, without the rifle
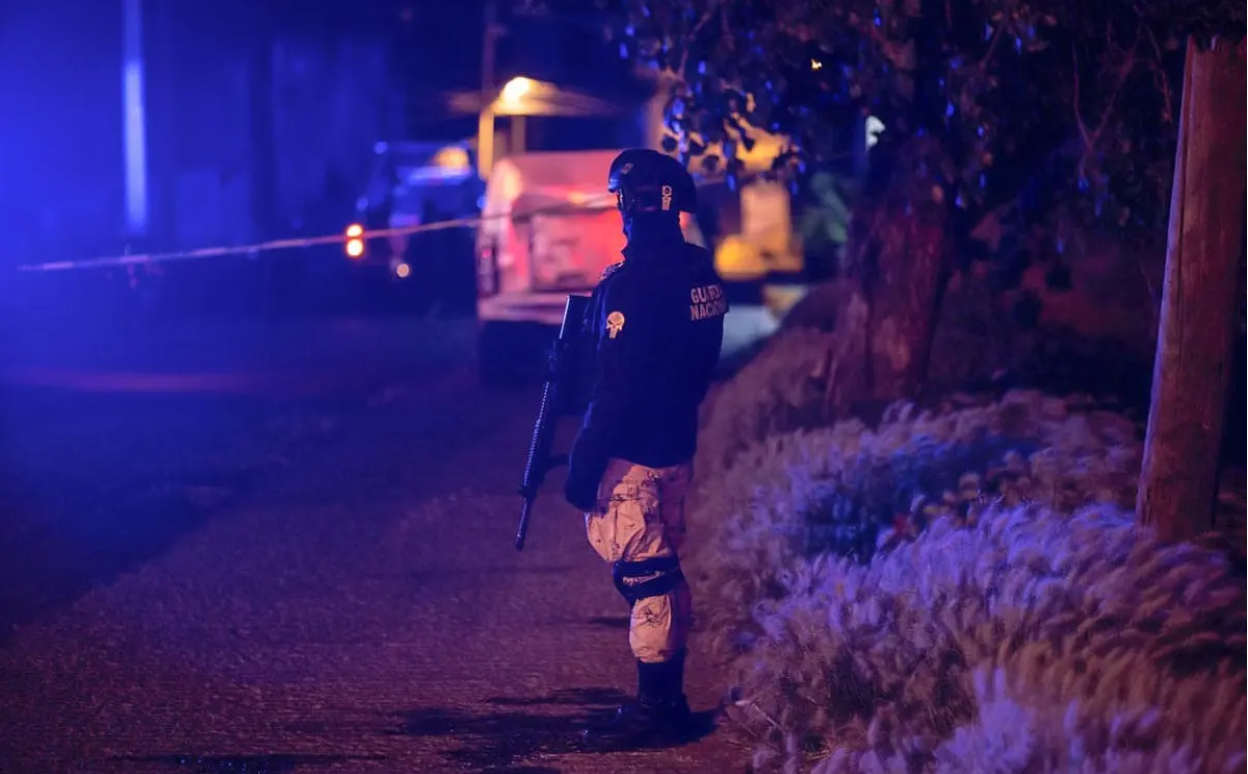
x=657 y=325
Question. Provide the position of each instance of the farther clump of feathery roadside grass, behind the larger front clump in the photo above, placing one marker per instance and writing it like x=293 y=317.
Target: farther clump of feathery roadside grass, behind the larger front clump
x=851 y=490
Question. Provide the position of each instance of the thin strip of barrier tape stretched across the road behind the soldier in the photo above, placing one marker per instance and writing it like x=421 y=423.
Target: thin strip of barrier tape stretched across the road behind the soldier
x=291 y=244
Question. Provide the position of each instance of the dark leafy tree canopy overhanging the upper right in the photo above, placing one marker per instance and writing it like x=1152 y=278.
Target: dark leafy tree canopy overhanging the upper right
x=1035 y=120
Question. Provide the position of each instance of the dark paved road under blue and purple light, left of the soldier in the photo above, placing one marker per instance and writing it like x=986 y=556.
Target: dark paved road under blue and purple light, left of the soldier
x=234 y=580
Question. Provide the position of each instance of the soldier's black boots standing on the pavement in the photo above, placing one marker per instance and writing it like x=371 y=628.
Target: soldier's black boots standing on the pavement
x=661 y=715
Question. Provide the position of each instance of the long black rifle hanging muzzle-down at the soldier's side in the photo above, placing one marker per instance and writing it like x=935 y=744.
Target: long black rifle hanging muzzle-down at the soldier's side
x=556 y=400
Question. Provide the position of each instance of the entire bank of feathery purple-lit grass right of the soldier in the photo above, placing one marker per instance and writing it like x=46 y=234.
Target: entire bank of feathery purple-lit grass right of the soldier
x=959 y=590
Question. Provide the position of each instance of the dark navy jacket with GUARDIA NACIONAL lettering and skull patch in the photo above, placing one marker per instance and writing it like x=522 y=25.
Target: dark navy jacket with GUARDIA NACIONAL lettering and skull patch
x=656 y=326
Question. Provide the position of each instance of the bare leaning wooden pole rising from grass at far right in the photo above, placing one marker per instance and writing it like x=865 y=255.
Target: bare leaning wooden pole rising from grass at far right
x=1194 y=363
